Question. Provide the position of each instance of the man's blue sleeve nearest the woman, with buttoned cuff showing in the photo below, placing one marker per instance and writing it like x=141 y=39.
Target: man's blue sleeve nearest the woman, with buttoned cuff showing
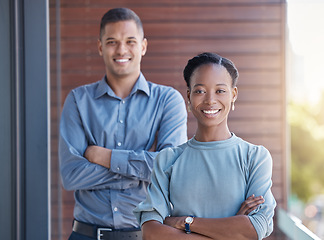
x=172 y=132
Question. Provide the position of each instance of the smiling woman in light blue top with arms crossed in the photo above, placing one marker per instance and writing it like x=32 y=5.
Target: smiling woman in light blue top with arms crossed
x=198 y=187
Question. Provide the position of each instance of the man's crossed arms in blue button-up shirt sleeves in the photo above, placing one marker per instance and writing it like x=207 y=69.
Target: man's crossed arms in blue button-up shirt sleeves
x=80 y=146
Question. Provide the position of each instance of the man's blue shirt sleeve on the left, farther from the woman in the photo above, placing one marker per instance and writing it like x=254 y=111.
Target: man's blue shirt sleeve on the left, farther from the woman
x=77 y=173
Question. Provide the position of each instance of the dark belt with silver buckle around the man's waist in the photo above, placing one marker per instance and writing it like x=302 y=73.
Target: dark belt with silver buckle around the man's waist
x=104 y=233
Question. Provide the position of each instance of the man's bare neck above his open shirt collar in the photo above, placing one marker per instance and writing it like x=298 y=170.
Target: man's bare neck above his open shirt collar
x=122 y=86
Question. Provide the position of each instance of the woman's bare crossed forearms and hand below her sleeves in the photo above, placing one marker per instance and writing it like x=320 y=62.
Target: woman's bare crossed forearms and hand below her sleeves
x=236 y=227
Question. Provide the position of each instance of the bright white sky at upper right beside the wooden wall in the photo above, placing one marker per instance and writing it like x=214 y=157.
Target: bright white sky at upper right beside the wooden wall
x=305 y=19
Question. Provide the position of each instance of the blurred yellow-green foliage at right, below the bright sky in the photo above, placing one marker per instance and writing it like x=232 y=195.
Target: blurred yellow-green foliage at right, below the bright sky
x=307 y=149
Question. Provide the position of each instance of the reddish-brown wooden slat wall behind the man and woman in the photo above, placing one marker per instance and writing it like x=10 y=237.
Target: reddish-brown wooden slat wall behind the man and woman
x=249 y=32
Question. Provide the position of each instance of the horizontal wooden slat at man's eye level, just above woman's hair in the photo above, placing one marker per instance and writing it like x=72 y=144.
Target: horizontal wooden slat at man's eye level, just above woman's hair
x=185 y=46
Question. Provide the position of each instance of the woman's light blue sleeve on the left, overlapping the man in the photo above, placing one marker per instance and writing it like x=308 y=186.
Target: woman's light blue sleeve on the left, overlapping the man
x=157 y=205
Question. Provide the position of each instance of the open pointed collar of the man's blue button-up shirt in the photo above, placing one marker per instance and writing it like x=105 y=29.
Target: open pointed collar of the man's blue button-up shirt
x=140 y=85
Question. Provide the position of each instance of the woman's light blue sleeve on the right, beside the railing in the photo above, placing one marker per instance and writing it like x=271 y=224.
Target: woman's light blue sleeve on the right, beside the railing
x=259 y=183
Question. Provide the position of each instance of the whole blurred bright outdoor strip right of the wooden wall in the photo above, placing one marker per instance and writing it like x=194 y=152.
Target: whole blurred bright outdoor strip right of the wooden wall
x=306 y=111
